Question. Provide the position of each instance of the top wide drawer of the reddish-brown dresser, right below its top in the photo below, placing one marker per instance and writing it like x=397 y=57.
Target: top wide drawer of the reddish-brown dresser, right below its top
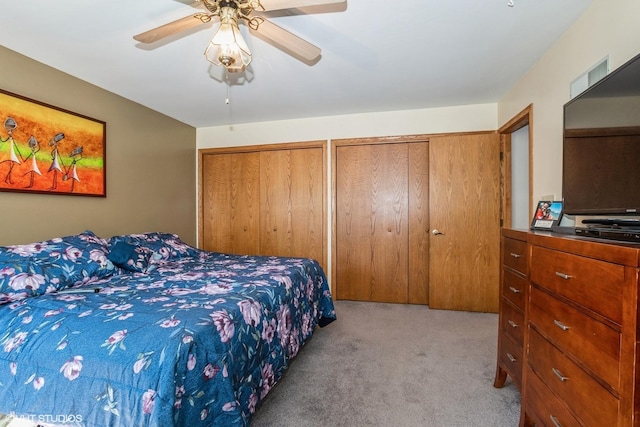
x=594 y=284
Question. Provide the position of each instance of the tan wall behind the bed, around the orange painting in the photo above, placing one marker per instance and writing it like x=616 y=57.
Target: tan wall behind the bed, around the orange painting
x=150 y=161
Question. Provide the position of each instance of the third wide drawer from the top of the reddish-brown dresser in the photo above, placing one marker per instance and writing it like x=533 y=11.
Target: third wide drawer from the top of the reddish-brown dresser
x=589 y=400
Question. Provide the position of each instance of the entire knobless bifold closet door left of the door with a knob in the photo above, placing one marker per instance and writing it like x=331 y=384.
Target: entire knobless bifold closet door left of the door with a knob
x=381 y=242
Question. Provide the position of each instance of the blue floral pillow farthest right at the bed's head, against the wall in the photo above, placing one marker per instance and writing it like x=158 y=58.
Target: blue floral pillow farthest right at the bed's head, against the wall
x=163 y=246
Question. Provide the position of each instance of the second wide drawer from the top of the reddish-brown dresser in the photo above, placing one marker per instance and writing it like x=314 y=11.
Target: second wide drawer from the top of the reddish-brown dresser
x=595 y=344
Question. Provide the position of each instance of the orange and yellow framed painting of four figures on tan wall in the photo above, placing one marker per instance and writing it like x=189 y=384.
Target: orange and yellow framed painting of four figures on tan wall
x=49 y=150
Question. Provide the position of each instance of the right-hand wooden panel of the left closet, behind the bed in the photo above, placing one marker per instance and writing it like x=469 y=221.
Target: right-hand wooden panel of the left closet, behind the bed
x=292 y=198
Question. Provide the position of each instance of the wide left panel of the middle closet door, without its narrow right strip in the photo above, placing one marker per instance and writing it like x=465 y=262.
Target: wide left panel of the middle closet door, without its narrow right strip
x=371 y=222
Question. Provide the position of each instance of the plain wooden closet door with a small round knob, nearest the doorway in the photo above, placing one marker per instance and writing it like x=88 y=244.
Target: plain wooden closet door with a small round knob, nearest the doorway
x=465 y=207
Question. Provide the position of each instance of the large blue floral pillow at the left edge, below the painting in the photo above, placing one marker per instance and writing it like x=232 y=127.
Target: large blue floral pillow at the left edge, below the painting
x=38 y=268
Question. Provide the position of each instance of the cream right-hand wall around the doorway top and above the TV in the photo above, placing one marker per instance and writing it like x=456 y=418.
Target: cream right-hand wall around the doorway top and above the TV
x=608 y=27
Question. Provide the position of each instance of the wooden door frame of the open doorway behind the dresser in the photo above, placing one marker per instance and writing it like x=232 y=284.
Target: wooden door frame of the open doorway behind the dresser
x=520 y=120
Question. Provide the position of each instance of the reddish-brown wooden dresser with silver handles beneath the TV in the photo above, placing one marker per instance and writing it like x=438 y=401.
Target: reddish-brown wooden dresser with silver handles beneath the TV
x=581 y=332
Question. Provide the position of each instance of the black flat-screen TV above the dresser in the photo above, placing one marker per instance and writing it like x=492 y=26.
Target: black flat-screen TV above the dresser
x=601 y=148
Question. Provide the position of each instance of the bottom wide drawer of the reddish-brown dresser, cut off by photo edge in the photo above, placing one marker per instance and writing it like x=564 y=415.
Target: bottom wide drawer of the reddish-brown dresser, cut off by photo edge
x=544 y=407
